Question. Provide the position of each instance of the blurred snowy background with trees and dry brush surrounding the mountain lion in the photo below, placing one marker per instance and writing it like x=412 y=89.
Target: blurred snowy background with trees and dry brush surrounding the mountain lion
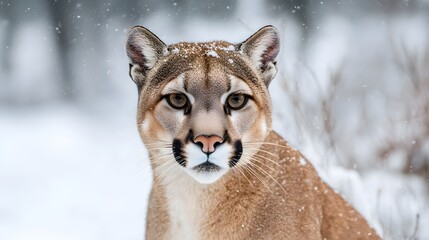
x=352 y=94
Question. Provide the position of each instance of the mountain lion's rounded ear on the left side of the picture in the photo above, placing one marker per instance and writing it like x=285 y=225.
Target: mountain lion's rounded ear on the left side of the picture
x=144 y=50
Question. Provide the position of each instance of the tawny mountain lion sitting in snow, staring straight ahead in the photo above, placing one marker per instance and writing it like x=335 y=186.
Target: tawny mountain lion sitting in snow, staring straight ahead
x=220 y=172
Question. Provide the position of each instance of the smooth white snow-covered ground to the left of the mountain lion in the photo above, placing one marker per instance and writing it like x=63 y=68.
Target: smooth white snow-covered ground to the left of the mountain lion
x=70 y=174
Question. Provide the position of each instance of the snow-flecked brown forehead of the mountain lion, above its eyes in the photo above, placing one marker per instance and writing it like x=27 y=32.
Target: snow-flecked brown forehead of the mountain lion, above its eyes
x=205 y=64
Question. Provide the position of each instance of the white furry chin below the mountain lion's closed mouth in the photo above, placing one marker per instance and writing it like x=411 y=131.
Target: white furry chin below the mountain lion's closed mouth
x=206 y=173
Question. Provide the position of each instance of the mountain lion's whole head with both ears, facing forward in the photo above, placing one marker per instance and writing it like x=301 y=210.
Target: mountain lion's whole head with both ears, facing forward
x=203 y=107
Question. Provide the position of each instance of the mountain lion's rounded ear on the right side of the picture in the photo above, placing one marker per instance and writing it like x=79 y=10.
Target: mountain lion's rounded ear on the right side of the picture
x=262 y=48
